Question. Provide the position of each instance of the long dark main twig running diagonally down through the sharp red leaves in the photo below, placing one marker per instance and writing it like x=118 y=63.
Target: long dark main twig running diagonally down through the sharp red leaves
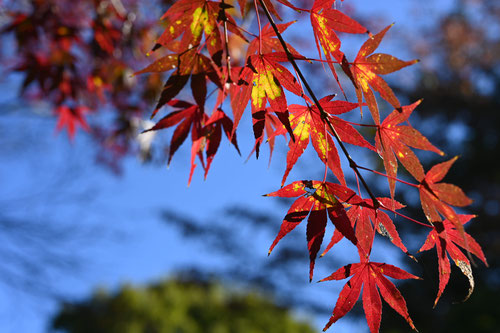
x=323 y=114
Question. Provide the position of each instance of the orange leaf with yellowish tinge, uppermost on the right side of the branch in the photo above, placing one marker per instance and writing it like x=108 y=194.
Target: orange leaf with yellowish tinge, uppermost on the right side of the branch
x=366 y=69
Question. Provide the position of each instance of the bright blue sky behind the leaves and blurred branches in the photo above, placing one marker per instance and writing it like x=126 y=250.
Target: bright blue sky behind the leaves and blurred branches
x=122 y=236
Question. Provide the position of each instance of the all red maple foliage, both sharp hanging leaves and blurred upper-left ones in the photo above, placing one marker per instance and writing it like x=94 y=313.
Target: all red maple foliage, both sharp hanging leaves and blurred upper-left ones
x=197 y=42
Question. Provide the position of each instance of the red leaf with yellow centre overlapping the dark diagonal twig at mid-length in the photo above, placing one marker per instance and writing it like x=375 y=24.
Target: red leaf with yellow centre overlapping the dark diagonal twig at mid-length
x=307 y=123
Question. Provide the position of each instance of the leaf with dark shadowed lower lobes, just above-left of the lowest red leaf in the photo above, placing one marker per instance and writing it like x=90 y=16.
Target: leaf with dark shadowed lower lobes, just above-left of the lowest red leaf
x=316 y=200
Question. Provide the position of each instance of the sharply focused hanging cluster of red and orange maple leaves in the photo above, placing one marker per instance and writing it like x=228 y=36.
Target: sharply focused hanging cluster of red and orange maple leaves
x=263 y=81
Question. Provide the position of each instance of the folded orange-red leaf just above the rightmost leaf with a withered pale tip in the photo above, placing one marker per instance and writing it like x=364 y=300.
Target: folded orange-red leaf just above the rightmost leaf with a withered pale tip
x=436 y=198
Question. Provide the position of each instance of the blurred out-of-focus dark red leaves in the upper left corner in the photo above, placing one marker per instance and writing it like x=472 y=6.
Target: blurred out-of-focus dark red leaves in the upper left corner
x=76 y=57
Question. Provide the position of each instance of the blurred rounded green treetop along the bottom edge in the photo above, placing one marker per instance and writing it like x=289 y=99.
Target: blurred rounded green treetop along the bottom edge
x=177 y=305
